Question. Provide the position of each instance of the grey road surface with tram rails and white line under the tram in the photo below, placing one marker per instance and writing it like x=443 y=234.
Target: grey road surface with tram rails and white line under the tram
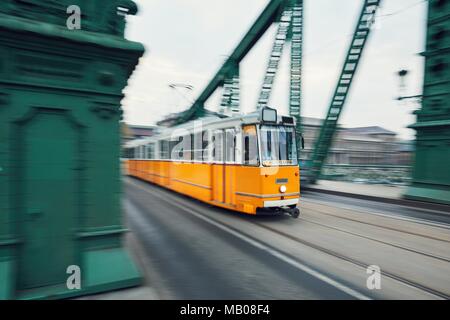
x=194 y=251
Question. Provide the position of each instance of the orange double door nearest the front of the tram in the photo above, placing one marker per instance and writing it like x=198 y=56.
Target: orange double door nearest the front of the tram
x=223 y=170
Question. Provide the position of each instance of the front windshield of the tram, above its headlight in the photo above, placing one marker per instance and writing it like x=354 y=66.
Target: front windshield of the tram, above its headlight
x=278 y=146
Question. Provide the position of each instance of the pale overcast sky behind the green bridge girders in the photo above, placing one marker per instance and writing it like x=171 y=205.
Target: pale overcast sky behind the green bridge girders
x=187 y=41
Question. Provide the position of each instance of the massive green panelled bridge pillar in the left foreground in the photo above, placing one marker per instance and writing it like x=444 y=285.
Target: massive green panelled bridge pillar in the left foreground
x=60 y=94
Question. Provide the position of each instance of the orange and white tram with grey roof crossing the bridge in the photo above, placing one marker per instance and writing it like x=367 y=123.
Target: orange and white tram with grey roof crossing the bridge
x=242 y=163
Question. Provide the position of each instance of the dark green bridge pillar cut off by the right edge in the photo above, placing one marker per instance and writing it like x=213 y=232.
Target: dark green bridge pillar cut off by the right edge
x=431 y=174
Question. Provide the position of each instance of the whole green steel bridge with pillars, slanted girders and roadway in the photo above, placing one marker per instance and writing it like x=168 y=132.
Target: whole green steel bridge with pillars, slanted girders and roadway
x=60 y=180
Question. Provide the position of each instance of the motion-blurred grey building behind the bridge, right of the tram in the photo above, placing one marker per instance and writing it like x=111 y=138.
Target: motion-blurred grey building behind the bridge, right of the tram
x=365 y=154
